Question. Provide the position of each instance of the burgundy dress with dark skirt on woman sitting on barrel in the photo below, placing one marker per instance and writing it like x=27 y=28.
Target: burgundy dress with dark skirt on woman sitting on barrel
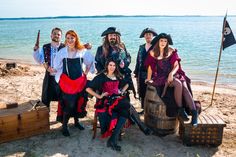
x=160 y=71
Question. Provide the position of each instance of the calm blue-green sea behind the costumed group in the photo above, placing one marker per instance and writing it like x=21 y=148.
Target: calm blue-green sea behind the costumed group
x=197 y=39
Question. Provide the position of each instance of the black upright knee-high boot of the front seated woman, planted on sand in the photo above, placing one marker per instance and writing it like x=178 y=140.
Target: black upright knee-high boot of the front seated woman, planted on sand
x=112 y=142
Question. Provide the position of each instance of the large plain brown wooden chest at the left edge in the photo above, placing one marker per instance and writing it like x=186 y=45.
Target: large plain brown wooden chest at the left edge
x=23 y=120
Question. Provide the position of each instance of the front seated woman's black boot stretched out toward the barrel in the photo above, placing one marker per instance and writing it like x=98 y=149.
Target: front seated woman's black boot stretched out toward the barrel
x=135 y=117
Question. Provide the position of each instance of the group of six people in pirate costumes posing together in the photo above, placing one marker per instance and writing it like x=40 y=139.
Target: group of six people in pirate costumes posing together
x=68 y=64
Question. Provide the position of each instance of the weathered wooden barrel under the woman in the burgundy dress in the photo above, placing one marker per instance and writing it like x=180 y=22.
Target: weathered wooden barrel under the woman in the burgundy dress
x=155 y=114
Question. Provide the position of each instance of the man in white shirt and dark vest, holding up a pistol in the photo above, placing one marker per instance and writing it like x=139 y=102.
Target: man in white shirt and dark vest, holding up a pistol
x=45 y=56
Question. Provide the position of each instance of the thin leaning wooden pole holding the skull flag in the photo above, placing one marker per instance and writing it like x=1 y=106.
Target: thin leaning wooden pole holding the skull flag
x=217 y=70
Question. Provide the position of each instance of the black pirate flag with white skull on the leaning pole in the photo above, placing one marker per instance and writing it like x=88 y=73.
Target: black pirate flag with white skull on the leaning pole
x=228 y=36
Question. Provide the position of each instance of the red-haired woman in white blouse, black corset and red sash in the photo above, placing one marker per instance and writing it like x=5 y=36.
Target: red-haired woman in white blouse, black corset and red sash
x=72 y=80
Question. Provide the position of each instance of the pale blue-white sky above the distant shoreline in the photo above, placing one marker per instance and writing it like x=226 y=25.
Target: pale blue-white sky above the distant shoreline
x=42 y=8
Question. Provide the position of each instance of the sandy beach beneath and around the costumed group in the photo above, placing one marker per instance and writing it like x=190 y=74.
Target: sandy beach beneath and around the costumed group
x=24 y=83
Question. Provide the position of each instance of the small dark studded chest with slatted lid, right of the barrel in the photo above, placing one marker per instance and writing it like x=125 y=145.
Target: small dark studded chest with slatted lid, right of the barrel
x=208 y=132
